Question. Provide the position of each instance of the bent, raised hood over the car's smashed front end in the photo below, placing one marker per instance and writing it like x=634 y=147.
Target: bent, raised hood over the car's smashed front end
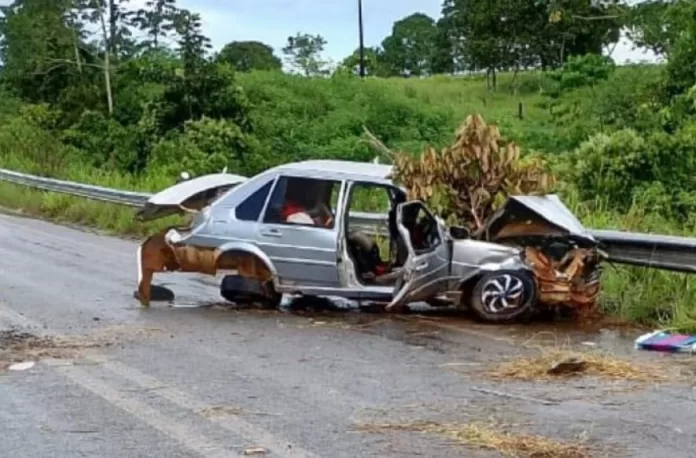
x=549 y=209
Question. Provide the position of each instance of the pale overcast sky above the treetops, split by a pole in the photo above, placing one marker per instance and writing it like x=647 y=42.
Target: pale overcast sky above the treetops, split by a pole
x=272 y=21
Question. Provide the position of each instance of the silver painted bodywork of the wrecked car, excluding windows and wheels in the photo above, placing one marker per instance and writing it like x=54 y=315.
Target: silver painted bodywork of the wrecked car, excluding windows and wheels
x=315 y=261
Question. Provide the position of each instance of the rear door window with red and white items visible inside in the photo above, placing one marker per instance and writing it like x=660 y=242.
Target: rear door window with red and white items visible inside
x=303 y=201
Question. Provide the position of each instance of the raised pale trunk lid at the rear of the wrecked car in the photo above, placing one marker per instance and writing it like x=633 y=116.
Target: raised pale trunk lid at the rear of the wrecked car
x=195 y=194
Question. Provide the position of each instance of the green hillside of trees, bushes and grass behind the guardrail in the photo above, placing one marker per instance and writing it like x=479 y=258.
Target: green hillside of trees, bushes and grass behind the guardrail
x=115 y=111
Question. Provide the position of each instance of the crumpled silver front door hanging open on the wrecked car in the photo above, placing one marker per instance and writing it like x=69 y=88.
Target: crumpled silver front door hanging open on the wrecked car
x=425 y=272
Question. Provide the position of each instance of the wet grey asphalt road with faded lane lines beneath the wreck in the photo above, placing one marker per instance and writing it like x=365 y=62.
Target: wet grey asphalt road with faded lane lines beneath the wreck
x=198 y=378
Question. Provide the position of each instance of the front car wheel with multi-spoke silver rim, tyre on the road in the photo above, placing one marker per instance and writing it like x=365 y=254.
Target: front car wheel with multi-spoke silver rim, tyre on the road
x=503 y=295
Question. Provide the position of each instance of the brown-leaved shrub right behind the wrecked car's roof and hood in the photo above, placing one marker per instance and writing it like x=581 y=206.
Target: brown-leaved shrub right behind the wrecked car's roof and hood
x=473 y=175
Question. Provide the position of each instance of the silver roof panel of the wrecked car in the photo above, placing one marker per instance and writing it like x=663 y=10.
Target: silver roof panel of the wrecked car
x=350 y=170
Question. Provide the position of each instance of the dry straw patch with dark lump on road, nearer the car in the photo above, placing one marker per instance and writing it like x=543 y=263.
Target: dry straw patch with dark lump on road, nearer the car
x=548 y=365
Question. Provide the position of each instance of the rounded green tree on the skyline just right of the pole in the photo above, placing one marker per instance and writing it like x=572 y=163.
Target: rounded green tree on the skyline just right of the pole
x=410 y=48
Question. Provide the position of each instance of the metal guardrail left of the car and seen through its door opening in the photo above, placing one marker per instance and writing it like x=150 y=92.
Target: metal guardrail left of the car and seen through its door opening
x=137 y=199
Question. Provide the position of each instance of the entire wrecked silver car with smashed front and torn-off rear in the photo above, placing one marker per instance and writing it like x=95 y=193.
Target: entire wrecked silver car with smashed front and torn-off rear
x=294 y=229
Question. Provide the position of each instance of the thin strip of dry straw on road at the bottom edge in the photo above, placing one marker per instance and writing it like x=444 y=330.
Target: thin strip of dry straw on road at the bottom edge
x=491 y=436
